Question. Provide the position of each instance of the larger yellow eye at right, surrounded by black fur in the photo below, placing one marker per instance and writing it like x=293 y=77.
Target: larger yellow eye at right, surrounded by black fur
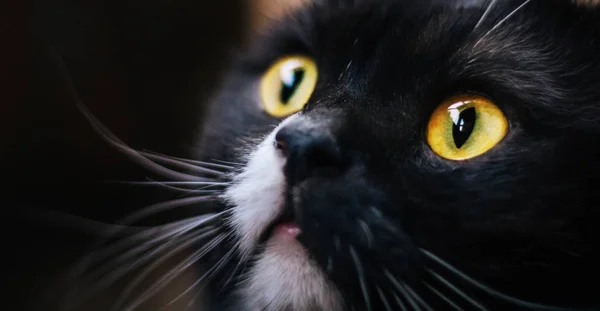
x=465 y=126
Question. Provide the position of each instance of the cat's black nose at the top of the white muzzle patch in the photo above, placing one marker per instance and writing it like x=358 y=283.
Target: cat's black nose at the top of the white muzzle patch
x=309 y=151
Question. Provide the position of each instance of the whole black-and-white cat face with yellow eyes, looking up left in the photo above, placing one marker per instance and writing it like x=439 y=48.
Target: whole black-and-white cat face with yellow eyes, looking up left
x=413 y=155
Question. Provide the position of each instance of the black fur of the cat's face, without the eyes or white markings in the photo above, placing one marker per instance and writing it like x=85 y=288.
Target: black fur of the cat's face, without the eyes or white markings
x=523 y=218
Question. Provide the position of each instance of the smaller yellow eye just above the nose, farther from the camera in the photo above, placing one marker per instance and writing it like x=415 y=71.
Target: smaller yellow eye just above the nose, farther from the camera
x=287 y=85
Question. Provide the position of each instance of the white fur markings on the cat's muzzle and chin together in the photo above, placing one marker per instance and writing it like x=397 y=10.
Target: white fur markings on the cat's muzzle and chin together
x=283 y=277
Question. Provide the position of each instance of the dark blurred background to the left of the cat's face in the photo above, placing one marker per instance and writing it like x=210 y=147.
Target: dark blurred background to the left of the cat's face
x=144 y=69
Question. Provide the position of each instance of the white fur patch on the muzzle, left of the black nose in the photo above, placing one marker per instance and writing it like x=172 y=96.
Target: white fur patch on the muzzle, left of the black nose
x=257 y=193
